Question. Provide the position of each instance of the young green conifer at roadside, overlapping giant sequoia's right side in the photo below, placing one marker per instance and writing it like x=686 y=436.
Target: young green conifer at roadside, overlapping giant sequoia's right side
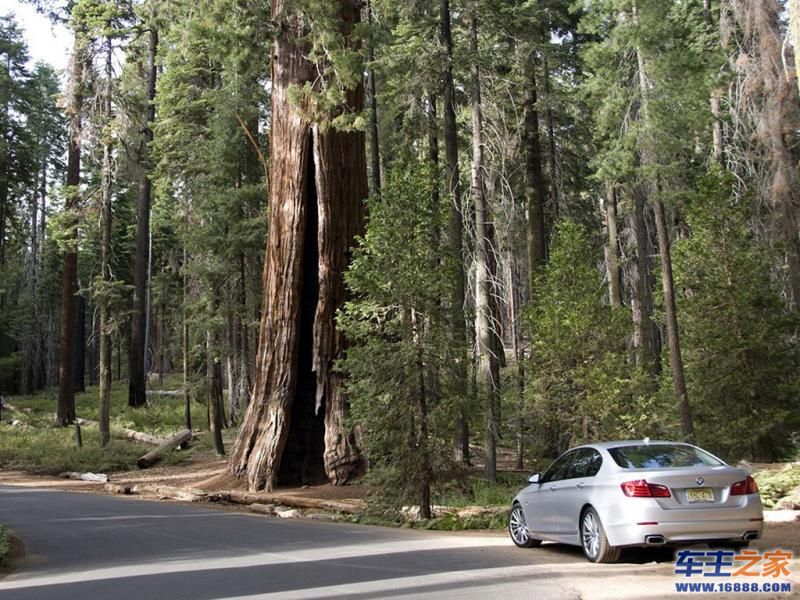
x=399 y=333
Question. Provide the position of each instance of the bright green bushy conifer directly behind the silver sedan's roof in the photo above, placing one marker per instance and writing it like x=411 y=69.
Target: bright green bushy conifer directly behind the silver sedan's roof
x=583 y=385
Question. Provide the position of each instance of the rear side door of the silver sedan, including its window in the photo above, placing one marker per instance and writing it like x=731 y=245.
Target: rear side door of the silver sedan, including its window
x=575 y=490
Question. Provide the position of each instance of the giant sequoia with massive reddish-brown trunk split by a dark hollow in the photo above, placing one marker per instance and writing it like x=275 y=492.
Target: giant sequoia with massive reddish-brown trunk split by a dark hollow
x=294 y=428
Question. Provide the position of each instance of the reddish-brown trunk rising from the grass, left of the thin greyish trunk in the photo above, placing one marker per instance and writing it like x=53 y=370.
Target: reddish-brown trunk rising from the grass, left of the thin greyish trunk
x=66 y=393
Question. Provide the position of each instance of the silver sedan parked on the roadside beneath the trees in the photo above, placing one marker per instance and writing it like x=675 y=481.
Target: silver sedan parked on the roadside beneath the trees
x=607 y=496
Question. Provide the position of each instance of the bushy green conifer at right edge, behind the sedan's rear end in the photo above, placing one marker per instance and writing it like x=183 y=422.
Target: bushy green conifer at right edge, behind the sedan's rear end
x=742 y=359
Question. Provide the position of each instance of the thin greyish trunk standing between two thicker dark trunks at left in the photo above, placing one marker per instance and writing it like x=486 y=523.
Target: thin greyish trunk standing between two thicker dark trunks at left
x=105 y=264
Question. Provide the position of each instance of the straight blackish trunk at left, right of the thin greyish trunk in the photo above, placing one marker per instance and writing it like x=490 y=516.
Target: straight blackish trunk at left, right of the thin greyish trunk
x=137 y=384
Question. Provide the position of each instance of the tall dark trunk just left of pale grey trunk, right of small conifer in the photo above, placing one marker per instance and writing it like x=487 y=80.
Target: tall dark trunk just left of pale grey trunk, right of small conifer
x=455 y=226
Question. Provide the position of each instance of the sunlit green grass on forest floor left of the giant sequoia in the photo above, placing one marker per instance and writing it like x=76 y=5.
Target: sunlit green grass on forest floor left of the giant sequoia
x=42 y=448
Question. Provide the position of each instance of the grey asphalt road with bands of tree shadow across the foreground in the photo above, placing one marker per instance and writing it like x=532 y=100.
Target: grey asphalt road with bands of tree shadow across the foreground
x=84 y=546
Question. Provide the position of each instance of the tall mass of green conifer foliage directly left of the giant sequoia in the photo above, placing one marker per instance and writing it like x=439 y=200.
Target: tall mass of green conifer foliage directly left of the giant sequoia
x=210 y=183
